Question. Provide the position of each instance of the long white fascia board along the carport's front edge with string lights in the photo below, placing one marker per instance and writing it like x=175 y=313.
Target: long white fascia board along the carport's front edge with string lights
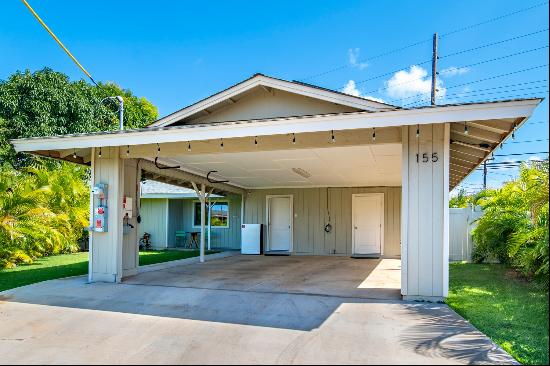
x=443 y=114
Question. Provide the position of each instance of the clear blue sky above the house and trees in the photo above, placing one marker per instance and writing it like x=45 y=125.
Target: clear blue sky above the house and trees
x=174 y=52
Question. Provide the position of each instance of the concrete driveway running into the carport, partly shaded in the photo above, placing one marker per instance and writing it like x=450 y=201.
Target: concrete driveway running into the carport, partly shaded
x=238 y=310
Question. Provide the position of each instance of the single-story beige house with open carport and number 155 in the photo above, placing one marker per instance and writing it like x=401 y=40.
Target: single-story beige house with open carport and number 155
x=326 y=173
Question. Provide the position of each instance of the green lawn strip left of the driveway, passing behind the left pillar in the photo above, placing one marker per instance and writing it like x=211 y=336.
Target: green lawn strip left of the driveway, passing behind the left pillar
x=67 y=265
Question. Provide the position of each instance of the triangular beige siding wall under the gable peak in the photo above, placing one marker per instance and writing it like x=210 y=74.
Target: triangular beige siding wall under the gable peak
x=261 y=104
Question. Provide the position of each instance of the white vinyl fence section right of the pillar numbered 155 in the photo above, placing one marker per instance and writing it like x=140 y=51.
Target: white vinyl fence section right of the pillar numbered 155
x=461 y=223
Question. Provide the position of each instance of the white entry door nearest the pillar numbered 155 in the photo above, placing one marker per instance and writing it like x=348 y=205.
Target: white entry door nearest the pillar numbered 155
x=368 y=221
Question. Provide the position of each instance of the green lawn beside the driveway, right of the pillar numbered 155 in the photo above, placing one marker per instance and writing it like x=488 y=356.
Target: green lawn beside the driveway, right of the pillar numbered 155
x=510 y=310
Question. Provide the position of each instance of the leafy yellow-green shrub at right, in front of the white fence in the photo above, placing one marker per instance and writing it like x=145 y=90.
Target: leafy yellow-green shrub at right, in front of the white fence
x=514 y=227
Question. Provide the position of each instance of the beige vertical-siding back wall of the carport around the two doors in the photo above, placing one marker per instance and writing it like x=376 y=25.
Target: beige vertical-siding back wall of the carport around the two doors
x=310 y=217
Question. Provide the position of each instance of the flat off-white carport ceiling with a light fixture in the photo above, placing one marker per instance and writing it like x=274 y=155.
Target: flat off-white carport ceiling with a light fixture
x=349 y=166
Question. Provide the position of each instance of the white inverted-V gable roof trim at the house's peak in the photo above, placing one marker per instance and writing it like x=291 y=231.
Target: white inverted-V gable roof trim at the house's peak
x=267 y=82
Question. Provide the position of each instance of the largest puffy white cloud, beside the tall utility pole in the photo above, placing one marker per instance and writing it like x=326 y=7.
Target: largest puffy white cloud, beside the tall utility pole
x=413 y=82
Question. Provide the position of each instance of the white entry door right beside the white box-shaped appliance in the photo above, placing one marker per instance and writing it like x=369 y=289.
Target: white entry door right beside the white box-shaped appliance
x=279 y=216
